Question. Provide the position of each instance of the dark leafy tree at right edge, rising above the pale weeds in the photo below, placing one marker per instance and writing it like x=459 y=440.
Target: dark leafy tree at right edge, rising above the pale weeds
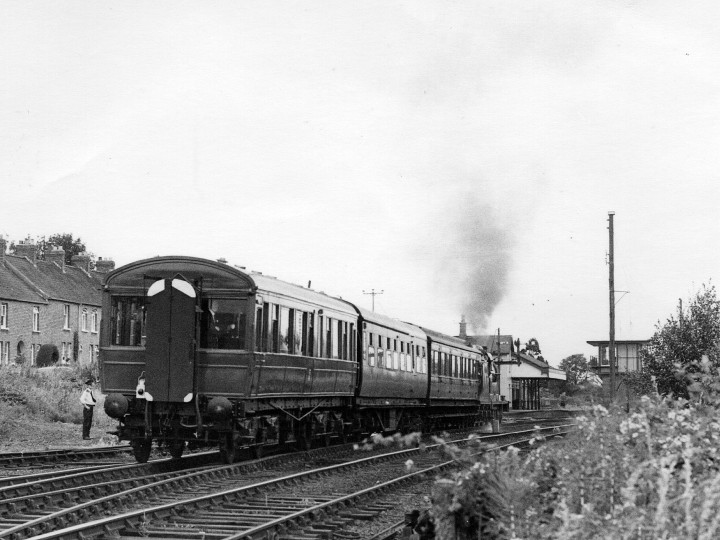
x=676 y=349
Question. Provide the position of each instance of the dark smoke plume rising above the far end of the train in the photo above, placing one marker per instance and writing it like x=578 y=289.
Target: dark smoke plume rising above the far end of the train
x=481 y=250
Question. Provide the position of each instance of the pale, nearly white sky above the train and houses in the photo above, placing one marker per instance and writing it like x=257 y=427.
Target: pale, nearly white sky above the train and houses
x=456 y=155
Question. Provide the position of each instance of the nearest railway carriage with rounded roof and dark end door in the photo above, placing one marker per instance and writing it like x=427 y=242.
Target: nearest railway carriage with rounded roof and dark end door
x=191 y=347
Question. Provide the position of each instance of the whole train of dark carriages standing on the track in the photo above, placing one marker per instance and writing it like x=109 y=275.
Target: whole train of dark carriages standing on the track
x=198 y=351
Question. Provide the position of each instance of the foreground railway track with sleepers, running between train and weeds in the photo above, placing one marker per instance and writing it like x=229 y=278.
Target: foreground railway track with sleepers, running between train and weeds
x=222 y=502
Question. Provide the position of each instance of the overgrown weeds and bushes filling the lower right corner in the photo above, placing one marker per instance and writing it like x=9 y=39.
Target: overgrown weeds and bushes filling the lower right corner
x=650 y=472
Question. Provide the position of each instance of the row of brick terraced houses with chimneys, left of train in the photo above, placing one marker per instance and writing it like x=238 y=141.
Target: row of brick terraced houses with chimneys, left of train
x=49 y=311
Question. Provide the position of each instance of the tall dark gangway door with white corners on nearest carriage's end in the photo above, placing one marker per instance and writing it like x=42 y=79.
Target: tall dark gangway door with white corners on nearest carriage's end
x=170 y=346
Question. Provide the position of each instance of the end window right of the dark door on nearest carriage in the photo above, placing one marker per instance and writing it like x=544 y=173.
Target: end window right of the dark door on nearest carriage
x=222 y=324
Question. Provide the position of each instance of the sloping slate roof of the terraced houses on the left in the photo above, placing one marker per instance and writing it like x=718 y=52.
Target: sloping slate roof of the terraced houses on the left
x=22 y=280
